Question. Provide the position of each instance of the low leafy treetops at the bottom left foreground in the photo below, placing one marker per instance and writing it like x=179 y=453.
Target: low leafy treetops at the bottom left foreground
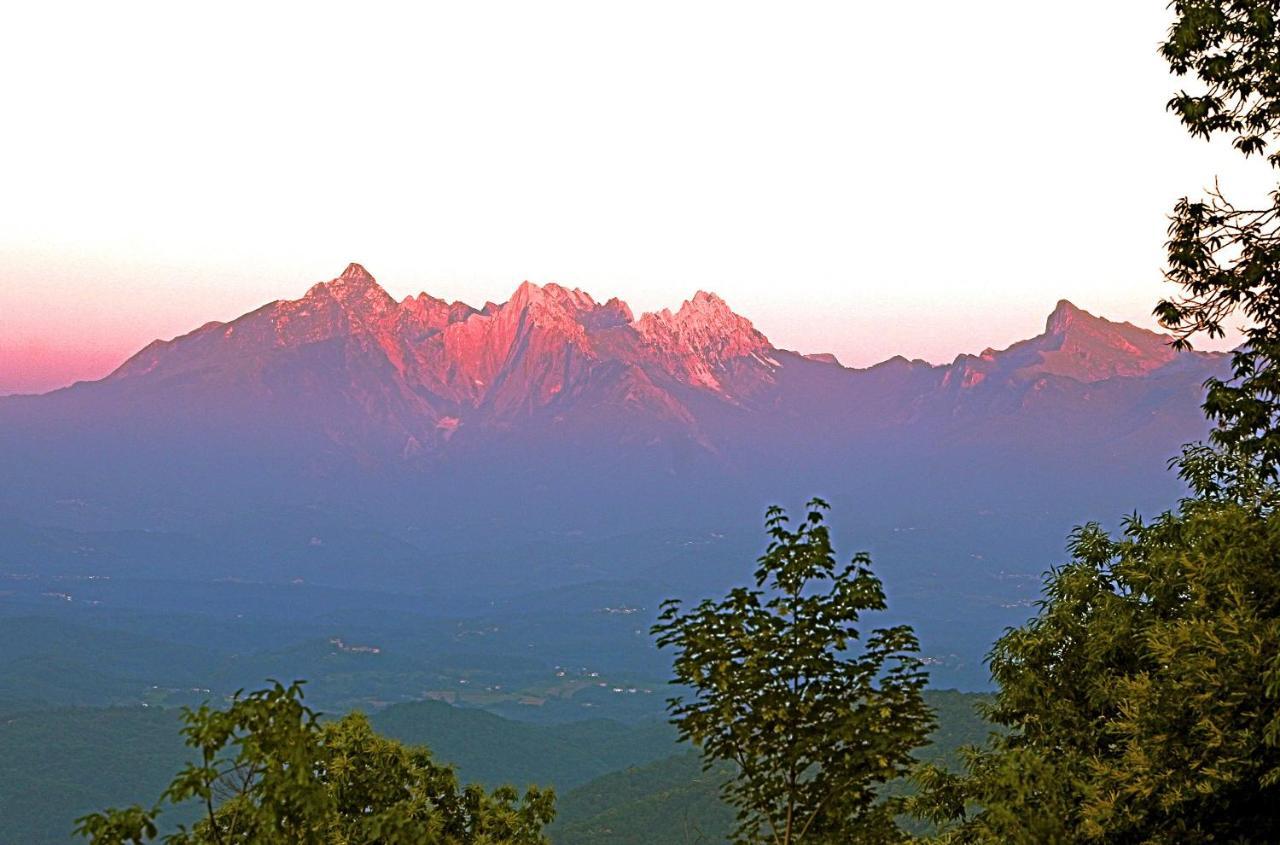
x=269 y=773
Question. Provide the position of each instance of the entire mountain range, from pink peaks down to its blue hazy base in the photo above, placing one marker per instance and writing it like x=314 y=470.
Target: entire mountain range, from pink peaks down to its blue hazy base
x=351 y=440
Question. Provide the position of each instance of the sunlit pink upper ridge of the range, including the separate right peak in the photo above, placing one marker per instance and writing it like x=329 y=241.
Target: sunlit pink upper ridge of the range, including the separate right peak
x=420 y=371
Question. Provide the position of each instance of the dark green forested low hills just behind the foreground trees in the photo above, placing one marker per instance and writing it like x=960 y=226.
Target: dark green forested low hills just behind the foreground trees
x=616 y=783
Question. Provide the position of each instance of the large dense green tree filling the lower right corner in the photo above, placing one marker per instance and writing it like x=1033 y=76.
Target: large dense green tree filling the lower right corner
x=1144 y=701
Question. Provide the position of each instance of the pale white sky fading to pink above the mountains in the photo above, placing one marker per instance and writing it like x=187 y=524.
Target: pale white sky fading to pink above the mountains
x=868 y=180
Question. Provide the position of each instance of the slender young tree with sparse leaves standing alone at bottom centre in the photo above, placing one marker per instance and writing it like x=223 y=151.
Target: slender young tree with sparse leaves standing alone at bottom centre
x=812 y=728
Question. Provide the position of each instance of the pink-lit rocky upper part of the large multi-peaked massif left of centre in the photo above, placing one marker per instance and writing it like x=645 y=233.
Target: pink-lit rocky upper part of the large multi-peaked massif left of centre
x=433 y=368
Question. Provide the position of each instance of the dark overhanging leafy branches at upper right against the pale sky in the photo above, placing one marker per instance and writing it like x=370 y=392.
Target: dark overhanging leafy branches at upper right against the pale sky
x=1226 y=258
